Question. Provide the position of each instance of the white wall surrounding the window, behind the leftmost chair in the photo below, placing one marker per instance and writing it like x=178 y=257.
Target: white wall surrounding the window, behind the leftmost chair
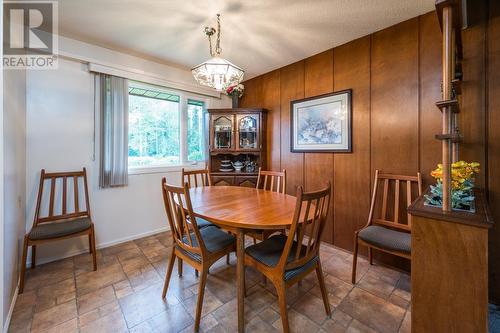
x=60 y=130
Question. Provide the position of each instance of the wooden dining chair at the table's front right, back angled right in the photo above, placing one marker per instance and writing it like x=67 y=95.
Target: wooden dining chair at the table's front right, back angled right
x=286 y=260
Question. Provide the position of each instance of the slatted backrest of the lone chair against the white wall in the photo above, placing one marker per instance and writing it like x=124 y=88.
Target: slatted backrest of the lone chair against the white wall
x=62 y=186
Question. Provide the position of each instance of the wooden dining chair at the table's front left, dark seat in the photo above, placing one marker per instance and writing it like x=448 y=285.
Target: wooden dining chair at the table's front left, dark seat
x=200 y=248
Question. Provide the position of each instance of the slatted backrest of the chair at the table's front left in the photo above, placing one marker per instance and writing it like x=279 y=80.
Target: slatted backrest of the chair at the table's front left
x=178 y=207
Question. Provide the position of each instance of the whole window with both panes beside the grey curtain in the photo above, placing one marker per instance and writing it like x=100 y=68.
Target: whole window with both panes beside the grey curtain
x=165 y=128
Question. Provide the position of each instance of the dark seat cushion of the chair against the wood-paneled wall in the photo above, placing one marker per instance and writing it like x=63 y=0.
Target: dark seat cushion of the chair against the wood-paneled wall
x=386 y=238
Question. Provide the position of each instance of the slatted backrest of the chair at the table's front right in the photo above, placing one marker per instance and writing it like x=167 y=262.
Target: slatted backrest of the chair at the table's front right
x=311 y=211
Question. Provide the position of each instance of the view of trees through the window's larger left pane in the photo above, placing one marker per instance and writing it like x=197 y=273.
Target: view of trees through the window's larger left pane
x=154 y=131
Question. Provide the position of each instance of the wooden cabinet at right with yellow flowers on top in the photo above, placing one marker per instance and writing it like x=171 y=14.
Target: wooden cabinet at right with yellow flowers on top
x=449 y=268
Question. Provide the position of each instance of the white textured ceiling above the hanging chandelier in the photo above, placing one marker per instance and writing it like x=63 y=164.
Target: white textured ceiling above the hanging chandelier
x=257 y=35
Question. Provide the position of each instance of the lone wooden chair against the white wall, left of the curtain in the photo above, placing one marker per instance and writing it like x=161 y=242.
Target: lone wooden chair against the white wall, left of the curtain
x=61 y=221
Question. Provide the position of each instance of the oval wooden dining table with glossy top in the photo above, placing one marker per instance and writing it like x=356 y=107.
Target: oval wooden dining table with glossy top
x=239 y=209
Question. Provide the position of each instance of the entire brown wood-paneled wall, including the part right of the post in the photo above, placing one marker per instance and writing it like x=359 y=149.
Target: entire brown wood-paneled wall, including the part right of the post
x=395 y=76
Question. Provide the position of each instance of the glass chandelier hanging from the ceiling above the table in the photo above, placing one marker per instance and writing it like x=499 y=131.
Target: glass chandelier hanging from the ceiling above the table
x=217 y=72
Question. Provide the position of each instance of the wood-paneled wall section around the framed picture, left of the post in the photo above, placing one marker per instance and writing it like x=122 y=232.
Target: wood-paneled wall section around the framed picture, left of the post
x=395 y=78
